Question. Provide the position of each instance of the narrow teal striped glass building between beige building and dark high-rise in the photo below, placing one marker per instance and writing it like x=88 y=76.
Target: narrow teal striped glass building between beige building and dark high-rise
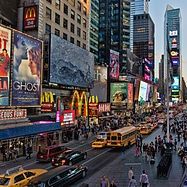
x=94 y=29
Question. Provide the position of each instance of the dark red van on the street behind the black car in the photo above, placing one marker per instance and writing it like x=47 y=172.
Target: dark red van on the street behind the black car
x=46 y=154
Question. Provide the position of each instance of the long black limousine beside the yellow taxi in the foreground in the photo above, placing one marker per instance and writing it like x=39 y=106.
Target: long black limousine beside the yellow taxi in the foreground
x=61 y=176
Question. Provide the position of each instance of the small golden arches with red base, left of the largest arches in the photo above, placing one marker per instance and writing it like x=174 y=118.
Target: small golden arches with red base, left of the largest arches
x=47 y=102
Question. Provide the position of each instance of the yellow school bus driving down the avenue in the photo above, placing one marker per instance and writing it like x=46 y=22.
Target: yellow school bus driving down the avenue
x=122 y=137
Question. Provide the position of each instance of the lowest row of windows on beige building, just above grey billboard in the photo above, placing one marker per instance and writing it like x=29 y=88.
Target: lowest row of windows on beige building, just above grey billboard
x=65 y=36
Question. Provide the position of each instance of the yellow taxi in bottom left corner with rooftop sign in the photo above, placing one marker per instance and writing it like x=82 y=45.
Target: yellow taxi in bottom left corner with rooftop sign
x=19 y=177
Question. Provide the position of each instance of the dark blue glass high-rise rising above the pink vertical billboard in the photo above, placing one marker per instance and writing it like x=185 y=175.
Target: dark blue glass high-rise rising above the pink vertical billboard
x=114 y=31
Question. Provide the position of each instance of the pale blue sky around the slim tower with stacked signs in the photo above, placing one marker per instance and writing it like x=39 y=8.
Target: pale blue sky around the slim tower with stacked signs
x=157 y=10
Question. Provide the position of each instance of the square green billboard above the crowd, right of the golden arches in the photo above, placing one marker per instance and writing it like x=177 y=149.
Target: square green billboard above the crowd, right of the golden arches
x=118 y=93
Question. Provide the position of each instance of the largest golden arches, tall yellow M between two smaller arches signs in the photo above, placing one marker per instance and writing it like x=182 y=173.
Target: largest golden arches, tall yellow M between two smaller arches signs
x=80 y=103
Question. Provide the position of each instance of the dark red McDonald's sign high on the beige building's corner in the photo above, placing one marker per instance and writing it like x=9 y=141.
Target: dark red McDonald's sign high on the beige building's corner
x=30 y=17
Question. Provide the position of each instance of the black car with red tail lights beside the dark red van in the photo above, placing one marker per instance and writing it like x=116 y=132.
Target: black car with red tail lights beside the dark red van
x=69 y=158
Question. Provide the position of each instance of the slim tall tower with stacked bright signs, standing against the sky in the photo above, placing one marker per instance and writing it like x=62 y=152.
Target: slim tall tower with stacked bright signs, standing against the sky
x=172 y=50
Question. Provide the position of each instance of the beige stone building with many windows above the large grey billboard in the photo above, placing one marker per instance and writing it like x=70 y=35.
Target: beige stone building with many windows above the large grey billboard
x=67 y=19
